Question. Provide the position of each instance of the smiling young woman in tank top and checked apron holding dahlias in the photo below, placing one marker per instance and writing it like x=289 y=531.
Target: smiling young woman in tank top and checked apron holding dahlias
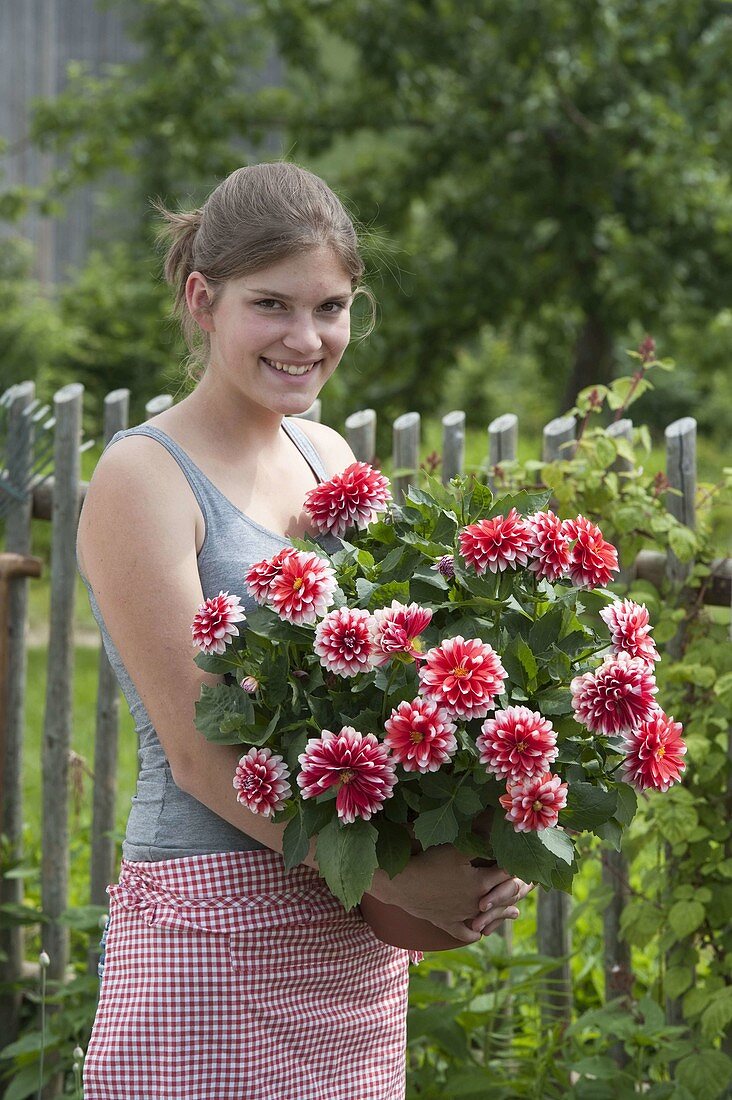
x=225 y=977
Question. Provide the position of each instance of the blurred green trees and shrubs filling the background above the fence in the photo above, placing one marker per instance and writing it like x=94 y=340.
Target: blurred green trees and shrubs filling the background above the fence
x=538 y=186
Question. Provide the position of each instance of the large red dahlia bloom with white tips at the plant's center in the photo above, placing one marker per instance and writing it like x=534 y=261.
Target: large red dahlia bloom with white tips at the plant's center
x=464 y=677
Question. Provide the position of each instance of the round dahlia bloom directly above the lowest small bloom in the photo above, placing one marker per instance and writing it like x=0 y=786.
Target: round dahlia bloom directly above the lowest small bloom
x=518 y=743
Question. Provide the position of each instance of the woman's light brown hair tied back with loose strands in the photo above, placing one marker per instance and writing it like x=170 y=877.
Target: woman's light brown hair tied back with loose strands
x=258 y=216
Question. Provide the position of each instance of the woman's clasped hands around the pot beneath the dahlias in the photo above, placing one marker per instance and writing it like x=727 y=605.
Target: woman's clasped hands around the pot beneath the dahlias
x=443 y=887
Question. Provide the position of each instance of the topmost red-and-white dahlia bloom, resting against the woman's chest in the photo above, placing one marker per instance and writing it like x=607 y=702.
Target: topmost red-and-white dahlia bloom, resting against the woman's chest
x=348 y=500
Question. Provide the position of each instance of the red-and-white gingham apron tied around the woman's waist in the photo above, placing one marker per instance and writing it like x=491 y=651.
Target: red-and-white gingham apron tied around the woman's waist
x=227 y=978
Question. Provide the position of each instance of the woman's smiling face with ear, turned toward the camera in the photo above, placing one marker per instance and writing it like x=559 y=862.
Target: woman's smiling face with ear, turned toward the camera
x=279 y=335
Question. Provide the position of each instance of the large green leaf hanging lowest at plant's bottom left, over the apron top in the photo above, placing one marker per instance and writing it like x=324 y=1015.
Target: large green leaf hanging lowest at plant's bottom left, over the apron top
x=347 y=859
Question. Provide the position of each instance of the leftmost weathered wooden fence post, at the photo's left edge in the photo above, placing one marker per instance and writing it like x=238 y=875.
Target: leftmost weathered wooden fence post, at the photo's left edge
x=18 y=541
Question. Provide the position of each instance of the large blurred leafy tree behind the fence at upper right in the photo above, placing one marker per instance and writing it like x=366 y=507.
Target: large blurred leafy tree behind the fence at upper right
x=561 y=164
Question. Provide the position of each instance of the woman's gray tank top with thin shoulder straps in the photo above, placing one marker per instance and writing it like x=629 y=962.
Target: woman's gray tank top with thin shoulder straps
x=165 y=822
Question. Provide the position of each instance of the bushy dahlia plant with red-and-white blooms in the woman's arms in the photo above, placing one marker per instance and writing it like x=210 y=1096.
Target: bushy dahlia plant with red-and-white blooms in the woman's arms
x=450 y=670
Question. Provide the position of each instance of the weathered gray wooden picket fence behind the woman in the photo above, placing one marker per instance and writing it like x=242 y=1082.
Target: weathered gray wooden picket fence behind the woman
x=59 y=501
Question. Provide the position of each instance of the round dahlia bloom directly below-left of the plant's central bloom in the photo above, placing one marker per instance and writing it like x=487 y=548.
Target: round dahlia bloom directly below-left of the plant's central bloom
x=421 y=735
